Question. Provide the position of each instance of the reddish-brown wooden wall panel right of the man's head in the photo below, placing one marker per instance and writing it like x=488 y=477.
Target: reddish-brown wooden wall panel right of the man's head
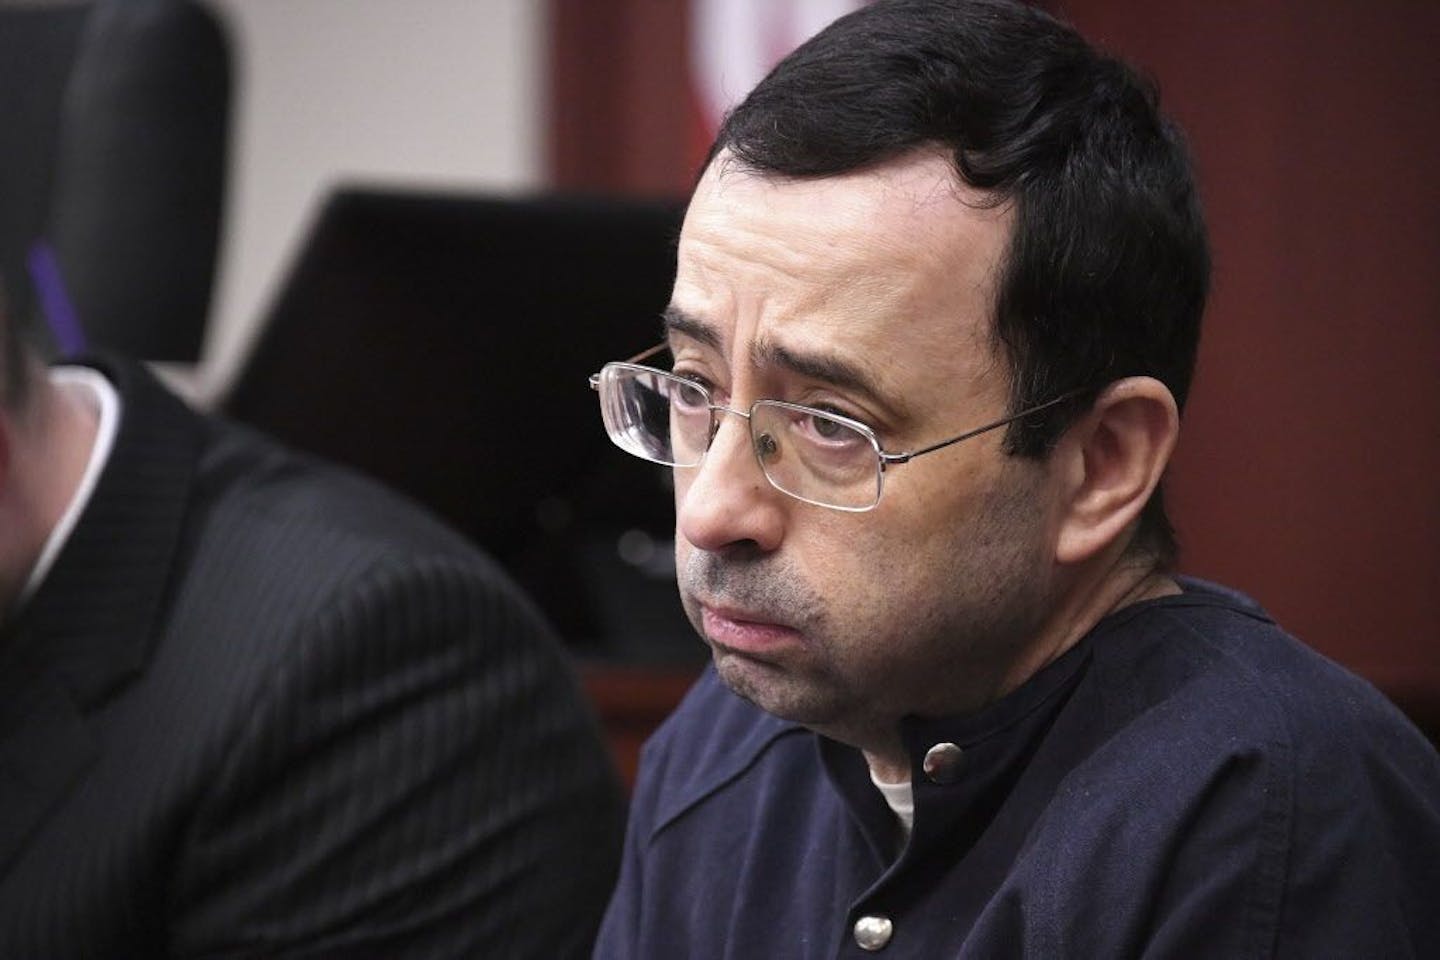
x=1310 y=467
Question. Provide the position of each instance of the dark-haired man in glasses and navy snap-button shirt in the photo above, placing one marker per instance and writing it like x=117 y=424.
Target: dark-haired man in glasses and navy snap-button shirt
x=935 y=316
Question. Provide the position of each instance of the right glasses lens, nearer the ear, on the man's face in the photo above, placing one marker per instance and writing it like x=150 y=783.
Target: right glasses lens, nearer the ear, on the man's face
x=816 y=457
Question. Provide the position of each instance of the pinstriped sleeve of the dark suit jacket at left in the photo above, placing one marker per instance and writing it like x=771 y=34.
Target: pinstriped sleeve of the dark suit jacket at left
x=418 y=778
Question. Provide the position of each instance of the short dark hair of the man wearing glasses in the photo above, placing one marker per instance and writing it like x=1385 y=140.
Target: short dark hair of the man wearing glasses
x=1108 y=267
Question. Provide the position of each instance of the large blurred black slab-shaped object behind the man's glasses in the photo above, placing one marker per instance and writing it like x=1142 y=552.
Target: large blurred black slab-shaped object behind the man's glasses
x=443 y=345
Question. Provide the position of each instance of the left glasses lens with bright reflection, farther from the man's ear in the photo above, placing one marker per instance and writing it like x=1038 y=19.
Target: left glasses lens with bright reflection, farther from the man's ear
x=654 y=415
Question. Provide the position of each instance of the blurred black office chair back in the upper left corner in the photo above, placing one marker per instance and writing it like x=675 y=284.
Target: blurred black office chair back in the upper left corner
x=113 y=162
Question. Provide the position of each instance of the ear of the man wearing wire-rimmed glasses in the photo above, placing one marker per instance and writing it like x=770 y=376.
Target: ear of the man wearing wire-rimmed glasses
x=1111 y=463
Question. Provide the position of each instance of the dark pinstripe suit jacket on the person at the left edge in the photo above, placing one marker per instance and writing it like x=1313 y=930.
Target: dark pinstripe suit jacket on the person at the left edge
x=264 y=709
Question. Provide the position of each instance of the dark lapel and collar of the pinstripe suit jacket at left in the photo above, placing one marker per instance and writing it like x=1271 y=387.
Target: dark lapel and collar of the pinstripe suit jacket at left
x=93 y=624
